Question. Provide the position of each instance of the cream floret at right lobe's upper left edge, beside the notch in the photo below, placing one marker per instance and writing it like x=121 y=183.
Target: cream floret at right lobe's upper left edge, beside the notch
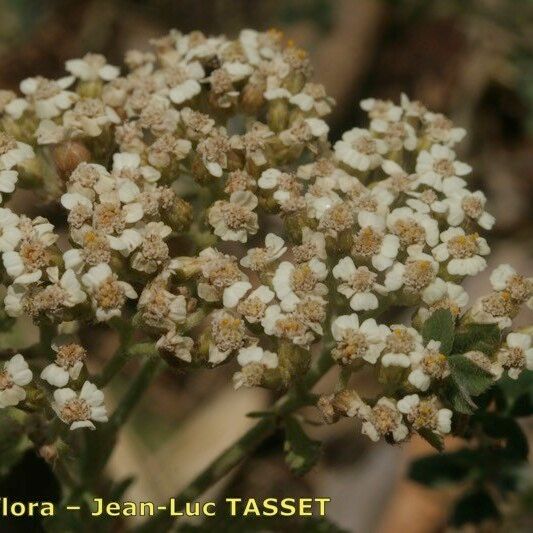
x=360 y=150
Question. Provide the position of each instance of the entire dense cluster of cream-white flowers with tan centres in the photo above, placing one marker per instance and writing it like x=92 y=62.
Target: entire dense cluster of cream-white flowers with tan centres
x=204 y=206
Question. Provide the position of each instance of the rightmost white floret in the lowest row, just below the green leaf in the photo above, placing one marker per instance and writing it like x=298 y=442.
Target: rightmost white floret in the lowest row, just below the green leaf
x=425 y=414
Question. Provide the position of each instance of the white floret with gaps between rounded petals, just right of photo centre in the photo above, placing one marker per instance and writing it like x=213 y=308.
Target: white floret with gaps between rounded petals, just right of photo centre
x=360 y=285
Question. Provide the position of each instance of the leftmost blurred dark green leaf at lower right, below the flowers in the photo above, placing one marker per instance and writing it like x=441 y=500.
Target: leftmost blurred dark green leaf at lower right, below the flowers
x=443 y=469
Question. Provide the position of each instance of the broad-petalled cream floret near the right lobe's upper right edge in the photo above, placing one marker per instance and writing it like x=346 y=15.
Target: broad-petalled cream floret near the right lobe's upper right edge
x=438 y=164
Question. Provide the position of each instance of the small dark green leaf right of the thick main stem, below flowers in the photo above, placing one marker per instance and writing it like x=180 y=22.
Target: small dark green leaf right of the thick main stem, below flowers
x=302 y=453
